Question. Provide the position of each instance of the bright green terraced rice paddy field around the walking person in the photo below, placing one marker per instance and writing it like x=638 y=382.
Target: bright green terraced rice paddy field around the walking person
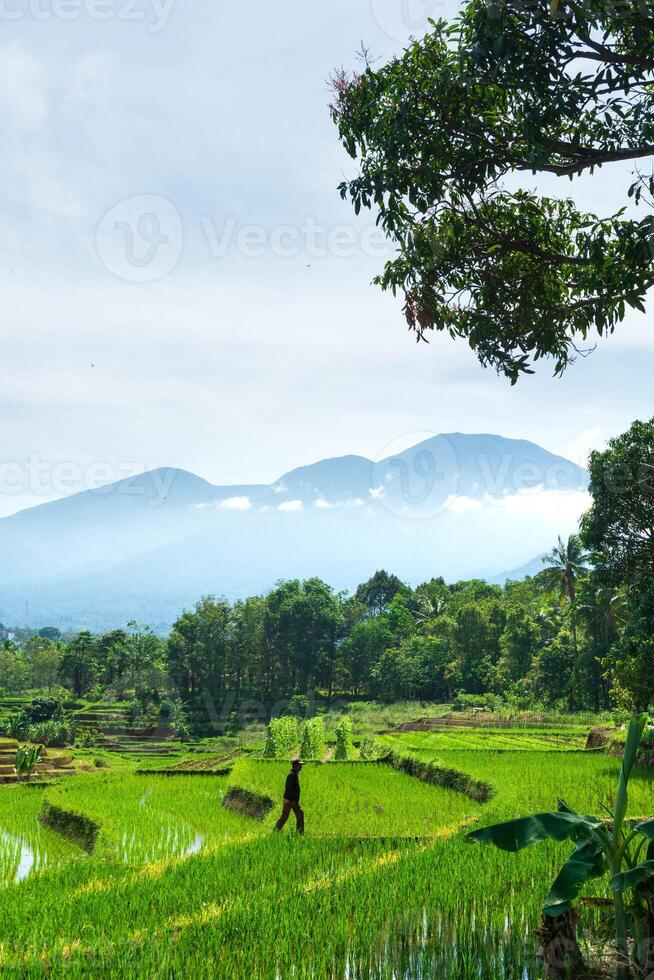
x=382 y=885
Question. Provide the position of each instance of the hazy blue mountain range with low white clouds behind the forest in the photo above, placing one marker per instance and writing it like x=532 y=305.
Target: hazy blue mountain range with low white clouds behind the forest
x=454 y=505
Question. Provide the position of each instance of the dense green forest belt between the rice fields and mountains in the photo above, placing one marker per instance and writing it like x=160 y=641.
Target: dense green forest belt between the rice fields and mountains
x=579 y=635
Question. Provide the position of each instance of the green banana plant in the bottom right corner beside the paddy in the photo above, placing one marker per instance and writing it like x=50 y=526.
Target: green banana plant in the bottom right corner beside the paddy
x=614 y=847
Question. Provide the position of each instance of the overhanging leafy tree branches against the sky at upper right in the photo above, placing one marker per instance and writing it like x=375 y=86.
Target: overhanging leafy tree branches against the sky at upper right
x=510 y=88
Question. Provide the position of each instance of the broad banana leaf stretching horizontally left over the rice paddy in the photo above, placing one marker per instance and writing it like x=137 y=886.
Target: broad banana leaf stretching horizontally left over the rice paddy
x=514 y=835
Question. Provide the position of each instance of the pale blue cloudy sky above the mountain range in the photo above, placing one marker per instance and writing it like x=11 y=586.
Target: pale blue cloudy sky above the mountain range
x=181 y=283
